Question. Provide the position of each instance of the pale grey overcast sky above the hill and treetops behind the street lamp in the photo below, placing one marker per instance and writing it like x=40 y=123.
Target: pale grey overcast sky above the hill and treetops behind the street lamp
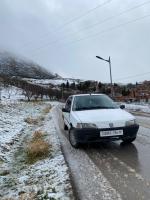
x=64 y=36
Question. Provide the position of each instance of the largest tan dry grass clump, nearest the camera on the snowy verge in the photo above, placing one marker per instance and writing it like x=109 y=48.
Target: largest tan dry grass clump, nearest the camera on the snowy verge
x=38 y=148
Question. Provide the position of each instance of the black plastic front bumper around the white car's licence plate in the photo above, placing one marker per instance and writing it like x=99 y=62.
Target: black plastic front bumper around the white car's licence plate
x=93 y=135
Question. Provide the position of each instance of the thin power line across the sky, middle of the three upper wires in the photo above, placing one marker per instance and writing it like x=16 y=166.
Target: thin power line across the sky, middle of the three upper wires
x=101 y=22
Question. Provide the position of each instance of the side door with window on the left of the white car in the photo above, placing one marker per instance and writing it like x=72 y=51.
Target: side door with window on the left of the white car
x=68 y=109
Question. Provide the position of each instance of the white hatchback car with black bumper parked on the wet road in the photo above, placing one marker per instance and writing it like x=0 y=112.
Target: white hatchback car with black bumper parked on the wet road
x=95 y=118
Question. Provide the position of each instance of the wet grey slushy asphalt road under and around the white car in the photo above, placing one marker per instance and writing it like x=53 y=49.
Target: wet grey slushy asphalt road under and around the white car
x=123 y=171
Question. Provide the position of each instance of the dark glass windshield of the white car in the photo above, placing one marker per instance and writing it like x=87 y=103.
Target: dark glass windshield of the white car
x=89 y=102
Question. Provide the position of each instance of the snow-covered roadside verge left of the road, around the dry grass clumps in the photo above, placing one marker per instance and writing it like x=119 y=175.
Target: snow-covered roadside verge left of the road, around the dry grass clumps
x=47 y=178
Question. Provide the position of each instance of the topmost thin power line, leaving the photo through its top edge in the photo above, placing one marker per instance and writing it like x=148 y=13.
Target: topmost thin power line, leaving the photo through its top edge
x=76 y=18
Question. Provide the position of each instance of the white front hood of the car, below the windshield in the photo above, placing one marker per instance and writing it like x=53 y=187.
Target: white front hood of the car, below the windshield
x=103 y=117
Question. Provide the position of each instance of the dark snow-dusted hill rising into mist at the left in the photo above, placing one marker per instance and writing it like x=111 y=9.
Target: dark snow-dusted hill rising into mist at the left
x=13 y=66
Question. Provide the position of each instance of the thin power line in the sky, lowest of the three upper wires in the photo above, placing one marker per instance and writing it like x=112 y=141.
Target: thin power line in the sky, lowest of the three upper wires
x=101 y=32
